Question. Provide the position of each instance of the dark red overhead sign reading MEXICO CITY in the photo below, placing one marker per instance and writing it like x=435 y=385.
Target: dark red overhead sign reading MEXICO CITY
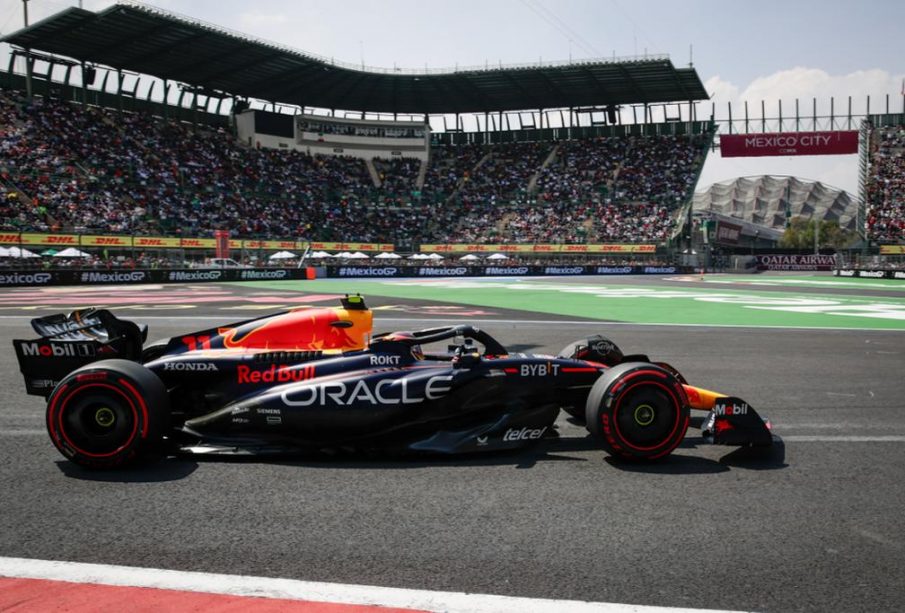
x=789 y=143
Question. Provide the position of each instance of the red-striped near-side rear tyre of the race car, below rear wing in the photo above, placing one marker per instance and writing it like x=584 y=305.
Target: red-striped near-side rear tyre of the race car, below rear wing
x=108 y=414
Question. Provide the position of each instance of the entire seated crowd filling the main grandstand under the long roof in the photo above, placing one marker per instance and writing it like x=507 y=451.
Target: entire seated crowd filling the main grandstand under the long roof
x=68 y=168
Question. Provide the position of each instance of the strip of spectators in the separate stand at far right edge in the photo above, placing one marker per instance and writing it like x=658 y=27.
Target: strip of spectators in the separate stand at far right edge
x=886 y=185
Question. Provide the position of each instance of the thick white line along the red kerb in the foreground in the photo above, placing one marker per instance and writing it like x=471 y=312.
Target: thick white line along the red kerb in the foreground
x=264 y=587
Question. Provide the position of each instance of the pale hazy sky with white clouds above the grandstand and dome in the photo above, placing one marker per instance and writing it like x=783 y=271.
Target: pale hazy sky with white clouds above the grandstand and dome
x=767 y=50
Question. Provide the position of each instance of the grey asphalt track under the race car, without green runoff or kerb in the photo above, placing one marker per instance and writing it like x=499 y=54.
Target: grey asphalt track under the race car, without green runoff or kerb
x=816 y=526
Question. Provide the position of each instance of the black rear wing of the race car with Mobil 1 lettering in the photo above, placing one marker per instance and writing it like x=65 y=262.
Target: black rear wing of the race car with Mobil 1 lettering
x=67 y=342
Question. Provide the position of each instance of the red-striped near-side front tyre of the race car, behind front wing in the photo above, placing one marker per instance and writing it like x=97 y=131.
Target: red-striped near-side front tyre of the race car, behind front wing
x=638 y=410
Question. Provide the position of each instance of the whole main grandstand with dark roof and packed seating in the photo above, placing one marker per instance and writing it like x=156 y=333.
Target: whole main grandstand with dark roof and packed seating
x=82 y=160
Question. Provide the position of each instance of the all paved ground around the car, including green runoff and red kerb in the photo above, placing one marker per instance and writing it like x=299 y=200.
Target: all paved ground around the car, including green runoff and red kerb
x=815 y=526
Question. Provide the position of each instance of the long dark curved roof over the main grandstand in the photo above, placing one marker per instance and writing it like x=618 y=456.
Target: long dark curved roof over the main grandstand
x=146 y=40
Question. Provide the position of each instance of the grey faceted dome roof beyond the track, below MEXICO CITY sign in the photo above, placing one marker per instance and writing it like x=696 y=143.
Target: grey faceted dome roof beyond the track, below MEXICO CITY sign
x=764 y=200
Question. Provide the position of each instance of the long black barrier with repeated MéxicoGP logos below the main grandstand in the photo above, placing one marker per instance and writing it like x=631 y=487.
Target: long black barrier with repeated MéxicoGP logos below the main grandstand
x=46 y=278
